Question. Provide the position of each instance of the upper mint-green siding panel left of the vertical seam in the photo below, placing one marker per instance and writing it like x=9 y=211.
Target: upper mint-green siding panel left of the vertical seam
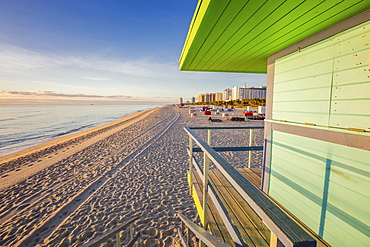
x=302 y=85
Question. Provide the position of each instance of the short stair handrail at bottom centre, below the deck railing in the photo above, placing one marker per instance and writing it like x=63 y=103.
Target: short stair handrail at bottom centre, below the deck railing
x=200 y=233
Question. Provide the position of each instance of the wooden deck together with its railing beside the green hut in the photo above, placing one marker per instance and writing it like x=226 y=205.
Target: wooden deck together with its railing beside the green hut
x=232 y=197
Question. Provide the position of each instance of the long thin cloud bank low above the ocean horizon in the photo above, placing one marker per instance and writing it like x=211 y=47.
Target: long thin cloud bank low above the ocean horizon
x=54 y=94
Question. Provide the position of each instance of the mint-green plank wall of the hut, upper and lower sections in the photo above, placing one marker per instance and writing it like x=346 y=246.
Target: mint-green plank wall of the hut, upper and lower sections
x=326 y=185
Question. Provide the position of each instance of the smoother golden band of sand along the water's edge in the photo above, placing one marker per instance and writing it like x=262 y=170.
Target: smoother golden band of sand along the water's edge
x=64 y=144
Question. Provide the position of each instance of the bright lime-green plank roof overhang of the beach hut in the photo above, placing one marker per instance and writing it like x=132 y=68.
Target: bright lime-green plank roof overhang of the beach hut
x=239 y=35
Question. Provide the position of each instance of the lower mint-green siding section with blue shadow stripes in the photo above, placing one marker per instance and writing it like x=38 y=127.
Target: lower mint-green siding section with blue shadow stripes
x=325 y=185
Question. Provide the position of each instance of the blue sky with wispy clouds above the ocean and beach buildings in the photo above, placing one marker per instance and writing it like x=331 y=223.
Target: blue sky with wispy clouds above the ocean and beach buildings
x=101 y=51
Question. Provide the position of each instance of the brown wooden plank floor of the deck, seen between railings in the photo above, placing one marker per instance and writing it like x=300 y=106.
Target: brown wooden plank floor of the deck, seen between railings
x=252 y=230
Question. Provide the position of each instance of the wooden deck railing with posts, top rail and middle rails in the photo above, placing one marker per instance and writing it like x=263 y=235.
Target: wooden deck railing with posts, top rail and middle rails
x=282 y=226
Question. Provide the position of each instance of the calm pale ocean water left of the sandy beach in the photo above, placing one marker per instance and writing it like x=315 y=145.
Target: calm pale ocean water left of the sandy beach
x=23 y=126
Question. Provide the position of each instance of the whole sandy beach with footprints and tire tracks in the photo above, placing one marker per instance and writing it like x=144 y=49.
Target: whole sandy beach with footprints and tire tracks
x=72 y=189
